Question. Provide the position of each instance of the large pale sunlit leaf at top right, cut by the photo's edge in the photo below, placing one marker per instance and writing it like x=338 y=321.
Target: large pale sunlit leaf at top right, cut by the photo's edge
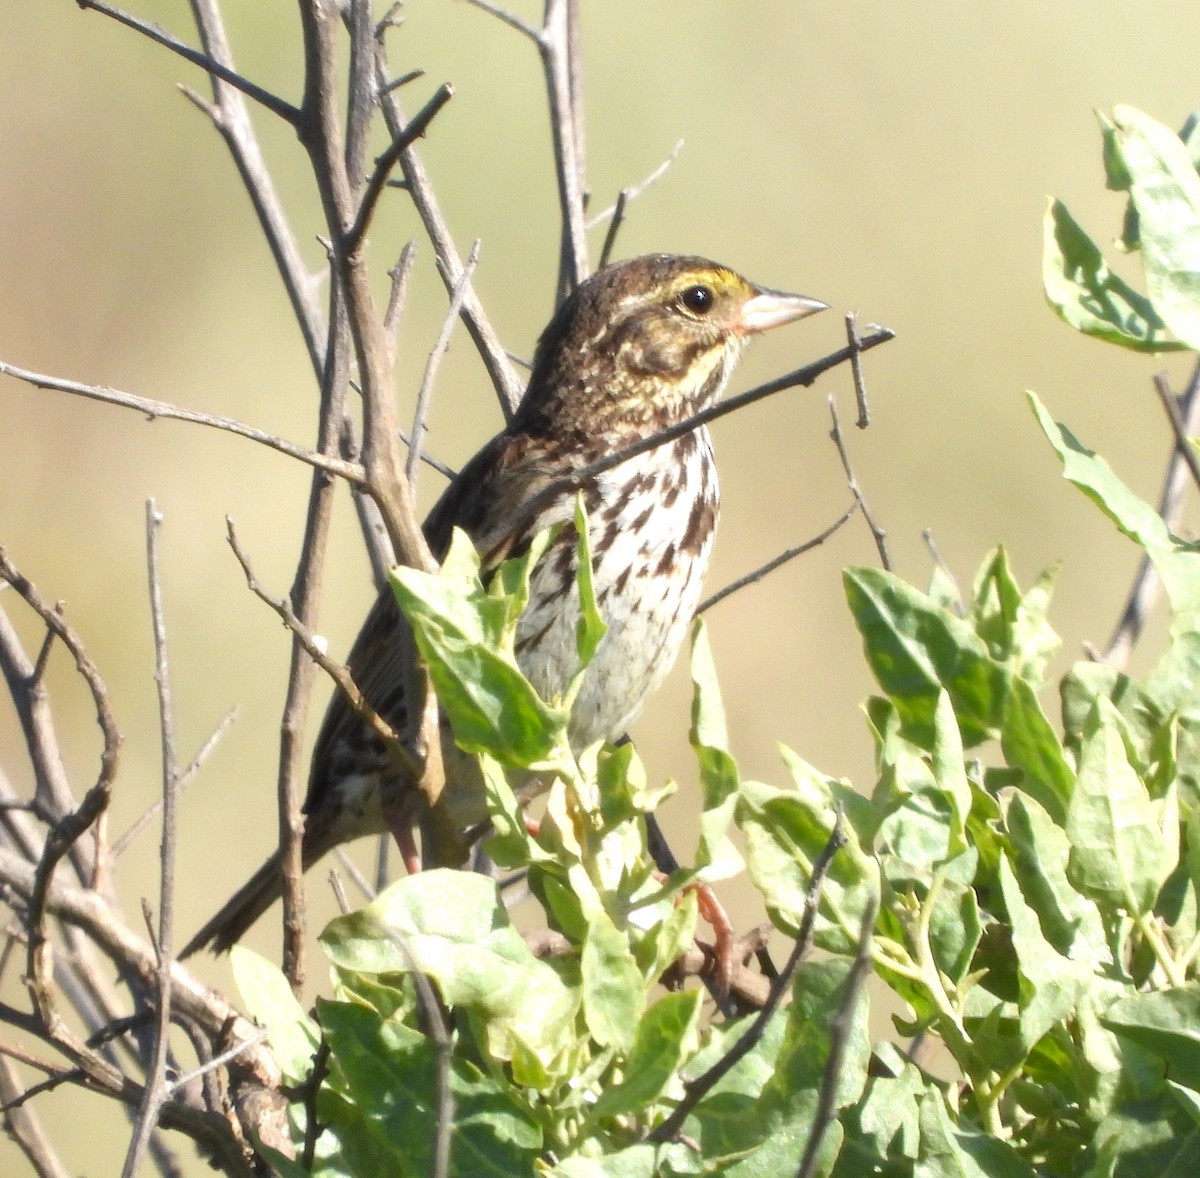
x=1166 y=191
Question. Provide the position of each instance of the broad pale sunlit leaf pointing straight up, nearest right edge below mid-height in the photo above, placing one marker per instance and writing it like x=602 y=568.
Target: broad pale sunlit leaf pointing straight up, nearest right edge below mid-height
x=1119 y=856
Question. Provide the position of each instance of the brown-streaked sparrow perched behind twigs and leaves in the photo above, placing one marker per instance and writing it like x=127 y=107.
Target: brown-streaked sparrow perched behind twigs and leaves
x=639 y=347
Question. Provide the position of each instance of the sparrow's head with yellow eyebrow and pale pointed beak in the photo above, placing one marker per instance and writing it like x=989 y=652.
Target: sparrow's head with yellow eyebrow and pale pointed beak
x=645 y=344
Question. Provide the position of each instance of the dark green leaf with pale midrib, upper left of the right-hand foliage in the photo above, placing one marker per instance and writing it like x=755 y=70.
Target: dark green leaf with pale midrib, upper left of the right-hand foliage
x=916 y=650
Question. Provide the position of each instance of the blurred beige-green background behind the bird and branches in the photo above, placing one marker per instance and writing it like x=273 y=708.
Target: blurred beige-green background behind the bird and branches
x=890 y=160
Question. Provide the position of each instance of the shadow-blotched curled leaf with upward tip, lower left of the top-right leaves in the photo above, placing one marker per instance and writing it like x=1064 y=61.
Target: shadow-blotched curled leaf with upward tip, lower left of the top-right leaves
x=1089 y=297
